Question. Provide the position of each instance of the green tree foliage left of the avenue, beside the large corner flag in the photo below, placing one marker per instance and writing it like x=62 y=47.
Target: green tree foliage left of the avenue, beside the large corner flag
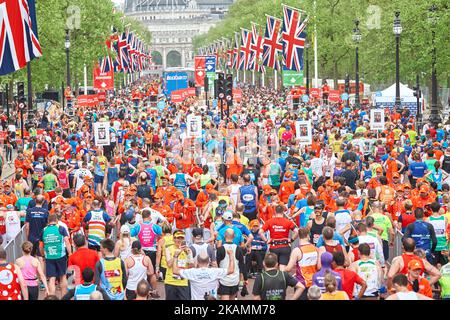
x=90 y=23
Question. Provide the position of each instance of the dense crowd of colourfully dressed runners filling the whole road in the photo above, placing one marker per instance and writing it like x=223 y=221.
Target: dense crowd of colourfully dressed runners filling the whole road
x=246 y=210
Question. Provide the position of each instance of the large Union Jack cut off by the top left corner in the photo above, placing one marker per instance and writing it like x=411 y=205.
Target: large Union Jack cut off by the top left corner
x=19 y=42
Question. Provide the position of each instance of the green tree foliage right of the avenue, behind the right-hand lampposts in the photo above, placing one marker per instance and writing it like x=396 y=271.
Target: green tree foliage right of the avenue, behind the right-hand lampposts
x=334 y=20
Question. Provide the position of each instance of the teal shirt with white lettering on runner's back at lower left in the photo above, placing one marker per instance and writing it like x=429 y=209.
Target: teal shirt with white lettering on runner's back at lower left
x=53 y=239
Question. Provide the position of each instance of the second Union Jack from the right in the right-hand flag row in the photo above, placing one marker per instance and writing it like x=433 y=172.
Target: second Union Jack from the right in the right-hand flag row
x=272 y=46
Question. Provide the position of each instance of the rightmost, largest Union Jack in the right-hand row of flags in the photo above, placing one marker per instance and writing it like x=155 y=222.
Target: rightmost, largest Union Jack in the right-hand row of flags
x=293 y=35
